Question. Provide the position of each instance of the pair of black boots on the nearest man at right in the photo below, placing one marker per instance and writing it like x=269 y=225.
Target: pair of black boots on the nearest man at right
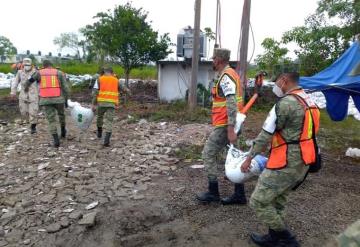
x=275 y=239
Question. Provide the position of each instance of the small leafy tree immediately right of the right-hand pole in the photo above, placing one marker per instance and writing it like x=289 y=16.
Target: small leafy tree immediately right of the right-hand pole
x=273 y=55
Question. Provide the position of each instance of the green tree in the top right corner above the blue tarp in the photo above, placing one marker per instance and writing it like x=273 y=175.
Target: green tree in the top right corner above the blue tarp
x=321 y=42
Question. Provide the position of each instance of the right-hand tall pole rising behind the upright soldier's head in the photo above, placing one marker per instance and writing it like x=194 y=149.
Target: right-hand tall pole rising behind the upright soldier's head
x=245 y=23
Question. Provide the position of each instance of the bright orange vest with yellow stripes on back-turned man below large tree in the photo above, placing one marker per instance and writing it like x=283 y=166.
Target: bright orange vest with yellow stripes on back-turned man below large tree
x=108 y=89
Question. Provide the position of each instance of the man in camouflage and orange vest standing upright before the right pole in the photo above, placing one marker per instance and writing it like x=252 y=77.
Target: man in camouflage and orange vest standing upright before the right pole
x=227 y=101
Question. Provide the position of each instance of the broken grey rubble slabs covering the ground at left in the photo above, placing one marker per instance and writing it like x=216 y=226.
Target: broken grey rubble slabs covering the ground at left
x=45 y=190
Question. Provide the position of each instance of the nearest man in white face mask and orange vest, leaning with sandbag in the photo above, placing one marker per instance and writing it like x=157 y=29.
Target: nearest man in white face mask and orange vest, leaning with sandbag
x=291 y=126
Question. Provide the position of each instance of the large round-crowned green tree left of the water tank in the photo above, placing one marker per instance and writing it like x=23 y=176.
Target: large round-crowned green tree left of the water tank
x=127 y=38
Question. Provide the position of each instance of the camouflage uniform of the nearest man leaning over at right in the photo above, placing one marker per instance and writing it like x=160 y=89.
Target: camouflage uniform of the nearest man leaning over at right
x=269 y=198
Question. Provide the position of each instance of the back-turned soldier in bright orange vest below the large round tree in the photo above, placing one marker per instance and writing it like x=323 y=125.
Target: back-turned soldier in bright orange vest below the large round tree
x=106 y=97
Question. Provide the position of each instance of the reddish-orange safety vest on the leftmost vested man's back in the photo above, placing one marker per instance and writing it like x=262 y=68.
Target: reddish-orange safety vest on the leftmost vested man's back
x=49 y=83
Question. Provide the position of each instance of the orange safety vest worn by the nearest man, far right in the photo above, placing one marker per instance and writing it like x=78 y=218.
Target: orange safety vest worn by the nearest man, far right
x=278 y=153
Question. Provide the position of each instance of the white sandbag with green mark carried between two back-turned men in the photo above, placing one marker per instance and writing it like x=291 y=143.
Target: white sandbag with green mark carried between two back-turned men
x=81 y=116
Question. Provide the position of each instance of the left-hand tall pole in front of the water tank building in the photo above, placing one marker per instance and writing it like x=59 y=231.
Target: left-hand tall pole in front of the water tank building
x=195 y=57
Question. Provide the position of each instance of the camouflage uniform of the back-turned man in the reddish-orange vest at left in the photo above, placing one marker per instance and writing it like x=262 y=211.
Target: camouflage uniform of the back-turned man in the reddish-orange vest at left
x=54 y=105
